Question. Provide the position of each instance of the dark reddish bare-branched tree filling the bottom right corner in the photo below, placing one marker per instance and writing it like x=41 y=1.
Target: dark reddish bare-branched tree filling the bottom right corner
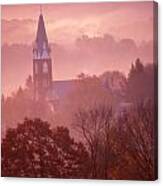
x=137 y=142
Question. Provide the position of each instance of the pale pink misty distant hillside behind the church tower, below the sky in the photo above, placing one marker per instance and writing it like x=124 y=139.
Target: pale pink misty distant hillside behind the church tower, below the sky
x=88 y=55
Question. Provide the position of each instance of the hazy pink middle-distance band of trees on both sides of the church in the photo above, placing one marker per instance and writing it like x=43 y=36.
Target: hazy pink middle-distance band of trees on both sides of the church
x=112 y=87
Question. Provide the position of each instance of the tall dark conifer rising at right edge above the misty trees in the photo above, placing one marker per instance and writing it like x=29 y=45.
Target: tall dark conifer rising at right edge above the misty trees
x=140 y=82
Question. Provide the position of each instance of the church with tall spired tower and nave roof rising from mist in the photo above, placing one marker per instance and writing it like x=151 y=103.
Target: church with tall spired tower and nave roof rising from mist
x=44 y=86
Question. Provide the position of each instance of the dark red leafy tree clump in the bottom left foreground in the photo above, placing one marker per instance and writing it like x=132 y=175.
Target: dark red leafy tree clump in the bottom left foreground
x=34 y=150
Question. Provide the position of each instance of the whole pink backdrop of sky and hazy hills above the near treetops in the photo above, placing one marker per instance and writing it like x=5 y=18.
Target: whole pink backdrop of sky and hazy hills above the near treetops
x=66 y=24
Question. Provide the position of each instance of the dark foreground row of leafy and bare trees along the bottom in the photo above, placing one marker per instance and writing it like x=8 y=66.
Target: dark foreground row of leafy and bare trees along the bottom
x=121 y=148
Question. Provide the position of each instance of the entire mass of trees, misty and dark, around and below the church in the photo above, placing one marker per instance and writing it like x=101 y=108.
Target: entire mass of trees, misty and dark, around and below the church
x=105 y=128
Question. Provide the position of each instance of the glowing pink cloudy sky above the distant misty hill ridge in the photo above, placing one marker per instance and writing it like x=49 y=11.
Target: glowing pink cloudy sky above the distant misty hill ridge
x=68 y=21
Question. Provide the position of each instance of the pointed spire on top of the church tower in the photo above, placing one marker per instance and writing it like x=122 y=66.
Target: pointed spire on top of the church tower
x=41 y=42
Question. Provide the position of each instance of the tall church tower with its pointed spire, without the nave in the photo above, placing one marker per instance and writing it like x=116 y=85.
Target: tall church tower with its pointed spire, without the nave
x=42 y=64
